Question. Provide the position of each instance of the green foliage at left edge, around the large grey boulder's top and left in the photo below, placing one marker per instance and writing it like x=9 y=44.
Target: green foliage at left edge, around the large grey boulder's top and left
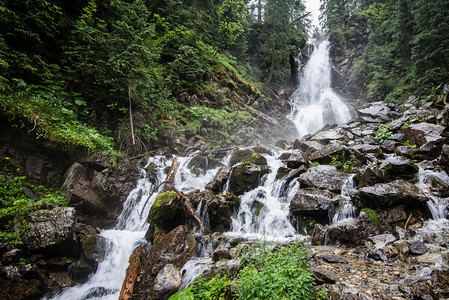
x=15 y=205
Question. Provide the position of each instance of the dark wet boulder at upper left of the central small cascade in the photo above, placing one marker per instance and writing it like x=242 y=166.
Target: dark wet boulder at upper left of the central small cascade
x=245 y=177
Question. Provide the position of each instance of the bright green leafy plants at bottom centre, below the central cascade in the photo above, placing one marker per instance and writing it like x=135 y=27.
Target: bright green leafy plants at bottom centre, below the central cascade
x=279 y=273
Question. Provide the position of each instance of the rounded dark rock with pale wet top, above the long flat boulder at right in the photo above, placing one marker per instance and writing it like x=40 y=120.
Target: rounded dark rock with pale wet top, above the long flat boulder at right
x=398 y=167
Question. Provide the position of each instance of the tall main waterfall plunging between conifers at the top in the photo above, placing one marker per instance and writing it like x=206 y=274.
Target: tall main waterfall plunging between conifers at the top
x=314 y=103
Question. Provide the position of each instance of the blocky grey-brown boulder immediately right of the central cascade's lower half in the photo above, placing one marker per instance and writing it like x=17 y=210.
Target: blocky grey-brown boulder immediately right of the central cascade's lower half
x=313 y=203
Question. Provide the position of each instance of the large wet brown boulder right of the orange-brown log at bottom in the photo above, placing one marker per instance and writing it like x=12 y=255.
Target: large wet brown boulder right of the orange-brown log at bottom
x=174 y=248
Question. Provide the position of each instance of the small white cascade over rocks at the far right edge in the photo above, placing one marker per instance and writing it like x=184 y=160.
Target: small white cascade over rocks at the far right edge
x=438 y=208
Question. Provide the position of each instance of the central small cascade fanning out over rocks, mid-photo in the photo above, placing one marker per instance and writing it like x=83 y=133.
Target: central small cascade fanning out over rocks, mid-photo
x=264 y=211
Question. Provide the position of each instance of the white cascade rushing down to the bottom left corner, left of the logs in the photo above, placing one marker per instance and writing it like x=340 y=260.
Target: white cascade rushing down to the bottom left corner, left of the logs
x=120 y=242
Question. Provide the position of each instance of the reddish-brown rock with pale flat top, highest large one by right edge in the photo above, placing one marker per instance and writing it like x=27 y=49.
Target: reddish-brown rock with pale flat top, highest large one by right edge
x=423 y=133
